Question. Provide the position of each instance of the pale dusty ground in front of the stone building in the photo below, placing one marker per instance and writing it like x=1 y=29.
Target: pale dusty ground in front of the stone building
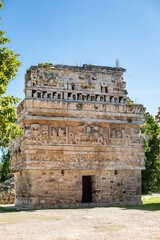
x=110 y=223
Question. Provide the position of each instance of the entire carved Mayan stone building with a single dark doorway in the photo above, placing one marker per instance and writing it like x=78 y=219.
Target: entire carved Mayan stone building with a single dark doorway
x=81 y=141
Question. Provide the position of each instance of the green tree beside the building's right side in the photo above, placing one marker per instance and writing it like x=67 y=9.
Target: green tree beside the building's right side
x=151 y=175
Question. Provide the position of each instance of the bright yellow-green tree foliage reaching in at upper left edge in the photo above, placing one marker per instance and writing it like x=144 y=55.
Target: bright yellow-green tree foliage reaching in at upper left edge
x=9 y=64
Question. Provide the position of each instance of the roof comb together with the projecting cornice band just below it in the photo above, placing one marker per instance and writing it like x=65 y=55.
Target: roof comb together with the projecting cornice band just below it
x=62 y=89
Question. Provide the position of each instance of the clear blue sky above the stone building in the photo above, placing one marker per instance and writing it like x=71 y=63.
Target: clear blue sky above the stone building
x=89 y=31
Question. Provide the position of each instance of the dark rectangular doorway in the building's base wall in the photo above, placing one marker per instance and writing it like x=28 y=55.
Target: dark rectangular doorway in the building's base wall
x=87 y=189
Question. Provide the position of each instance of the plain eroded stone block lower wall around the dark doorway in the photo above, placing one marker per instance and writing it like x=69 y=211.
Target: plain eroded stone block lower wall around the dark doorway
x=53 y=188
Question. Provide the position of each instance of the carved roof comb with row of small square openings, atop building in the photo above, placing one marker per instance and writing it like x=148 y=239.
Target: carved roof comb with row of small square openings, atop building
x=70 y=83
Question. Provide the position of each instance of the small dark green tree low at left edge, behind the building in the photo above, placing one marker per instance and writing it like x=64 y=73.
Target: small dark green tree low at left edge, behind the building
x=5 y=168
